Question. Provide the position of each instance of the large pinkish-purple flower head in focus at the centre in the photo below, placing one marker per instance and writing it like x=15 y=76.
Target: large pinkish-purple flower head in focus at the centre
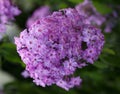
x=55 y=46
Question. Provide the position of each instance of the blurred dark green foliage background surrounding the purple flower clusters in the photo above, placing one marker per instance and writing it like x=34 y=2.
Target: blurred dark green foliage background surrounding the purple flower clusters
x=103 y=77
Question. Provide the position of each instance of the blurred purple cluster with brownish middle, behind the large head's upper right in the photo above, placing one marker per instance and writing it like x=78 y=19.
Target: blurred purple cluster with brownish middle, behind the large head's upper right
x=89 y=11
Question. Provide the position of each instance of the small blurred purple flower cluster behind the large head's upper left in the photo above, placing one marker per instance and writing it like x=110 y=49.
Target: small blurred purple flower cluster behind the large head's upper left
x=39 y=13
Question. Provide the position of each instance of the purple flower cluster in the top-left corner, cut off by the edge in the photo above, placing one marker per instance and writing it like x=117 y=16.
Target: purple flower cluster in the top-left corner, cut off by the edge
x=7 y=13
